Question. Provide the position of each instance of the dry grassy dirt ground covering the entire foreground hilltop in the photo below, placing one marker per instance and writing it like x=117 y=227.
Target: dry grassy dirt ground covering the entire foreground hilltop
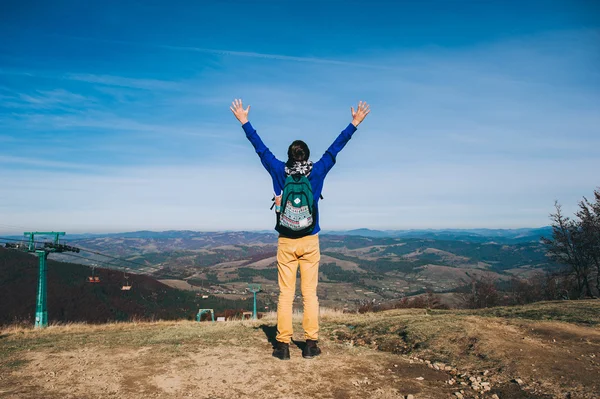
x=233 y=359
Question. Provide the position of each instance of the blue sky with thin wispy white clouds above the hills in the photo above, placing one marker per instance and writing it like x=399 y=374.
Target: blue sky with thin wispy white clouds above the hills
x=114 y=116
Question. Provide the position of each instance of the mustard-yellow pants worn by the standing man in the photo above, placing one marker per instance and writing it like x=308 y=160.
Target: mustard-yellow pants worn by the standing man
x=291 y=253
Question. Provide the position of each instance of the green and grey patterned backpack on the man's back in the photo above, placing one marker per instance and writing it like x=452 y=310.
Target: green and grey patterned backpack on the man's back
x=297 y=214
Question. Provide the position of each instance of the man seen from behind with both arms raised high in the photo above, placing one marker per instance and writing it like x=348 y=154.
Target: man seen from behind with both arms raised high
x=294 y=251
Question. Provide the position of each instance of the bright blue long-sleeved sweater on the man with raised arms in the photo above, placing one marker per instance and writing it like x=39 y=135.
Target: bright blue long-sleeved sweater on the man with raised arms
x=276 y=168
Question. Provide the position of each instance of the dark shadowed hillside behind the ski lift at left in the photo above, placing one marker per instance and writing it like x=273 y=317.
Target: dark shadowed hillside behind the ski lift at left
x=71 y=298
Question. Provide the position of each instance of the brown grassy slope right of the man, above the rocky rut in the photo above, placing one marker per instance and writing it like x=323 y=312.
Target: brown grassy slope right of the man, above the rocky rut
x=539 y=343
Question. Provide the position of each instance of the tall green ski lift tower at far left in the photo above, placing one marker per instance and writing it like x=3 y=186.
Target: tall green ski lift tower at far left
x=41 y=311
